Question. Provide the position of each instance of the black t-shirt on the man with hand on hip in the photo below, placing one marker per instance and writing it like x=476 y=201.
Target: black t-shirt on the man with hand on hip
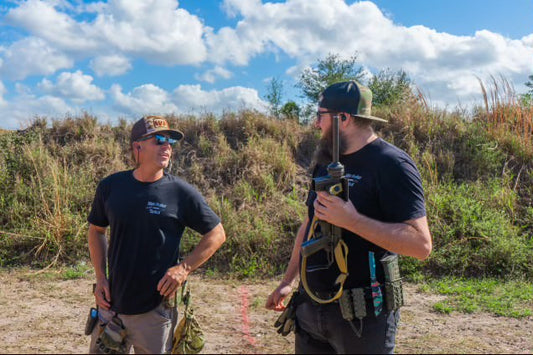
x=147 y=221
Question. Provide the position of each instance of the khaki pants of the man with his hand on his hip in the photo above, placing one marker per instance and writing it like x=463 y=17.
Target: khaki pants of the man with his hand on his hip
x=148 y=333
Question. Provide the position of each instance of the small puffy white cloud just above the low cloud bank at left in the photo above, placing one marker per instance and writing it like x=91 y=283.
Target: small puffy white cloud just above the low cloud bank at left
x=74 y=86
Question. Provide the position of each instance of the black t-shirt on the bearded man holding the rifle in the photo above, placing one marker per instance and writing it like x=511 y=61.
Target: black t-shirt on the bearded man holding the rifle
x=384 y=184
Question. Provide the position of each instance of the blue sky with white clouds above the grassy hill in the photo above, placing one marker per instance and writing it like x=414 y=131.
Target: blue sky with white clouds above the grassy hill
x=125 y=58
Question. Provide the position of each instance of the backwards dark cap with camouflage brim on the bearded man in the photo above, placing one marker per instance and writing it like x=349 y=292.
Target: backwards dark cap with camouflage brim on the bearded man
x=350 y=97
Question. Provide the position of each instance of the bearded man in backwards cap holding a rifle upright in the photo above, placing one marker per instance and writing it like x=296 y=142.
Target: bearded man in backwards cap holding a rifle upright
x=383 y=216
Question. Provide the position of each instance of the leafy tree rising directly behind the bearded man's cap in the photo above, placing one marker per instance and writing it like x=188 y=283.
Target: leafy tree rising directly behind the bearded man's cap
x=332 y=69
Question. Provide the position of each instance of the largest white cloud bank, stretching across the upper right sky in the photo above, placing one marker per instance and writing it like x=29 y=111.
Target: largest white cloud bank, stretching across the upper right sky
x=443 y=64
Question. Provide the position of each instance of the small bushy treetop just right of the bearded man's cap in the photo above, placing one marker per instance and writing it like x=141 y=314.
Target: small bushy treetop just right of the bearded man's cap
x=389 y=88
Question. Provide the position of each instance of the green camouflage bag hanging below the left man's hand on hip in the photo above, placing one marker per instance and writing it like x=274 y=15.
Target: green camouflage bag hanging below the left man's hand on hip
x=188 y=336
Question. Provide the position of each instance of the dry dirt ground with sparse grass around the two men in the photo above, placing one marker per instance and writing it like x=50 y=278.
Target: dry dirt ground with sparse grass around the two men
x=41 y=314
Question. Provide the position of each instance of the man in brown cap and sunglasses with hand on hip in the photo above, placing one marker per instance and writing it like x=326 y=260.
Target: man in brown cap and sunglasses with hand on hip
x=138 y=274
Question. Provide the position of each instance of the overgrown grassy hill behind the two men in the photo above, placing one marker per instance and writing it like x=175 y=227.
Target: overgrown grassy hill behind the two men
x=477 y=171
